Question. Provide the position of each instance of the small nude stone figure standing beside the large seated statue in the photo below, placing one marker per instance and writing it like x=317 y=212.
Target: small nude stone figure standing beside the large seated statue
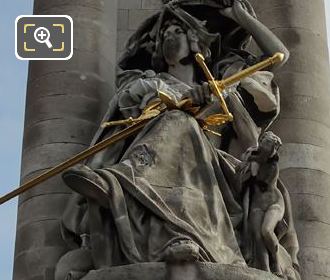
x=263 y=202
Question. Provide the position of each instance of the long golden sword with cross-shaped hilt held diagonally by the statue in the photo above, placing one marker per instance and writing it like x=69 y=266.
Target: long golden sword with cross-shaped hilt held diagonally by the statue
x=137 y=124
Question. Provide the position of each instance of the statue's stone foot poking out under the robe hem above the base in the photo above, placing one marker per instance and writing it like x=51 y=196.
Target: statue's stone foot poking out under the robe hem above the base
x=182 y=251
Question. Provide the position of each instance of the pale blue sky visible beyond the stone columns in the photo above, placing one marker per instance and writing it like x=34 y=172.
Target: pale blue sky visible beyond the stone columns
x=13 y=75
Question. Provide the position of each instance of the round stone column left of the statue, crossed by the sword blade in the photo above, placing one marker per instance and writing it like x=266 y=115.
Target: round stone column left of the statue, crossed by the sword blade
x=65 y=102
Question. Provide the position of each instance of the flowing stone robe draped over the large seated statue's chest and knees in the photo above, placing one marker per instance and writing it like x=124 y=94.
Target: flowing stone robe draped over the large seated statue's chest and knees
x=167 y=184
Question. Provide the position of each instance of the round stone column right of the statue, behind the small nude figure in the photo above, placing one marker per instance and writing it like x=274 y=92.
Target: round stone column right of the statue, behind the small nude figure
x=304 y=124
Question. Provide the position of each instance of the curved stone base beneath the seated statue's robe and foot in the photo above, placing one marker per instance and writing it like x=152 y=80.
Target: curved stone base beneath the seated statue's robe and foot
x=192 y=271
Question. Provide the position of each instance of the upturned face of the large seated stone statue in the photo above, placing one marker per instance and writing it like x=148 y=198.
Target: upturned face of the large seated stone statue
x=175 y=44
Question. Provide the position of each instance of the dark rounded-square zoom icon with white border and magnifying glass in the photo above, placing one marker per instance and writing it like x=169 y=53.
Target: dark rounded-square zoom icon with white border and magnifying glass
x=44 y=37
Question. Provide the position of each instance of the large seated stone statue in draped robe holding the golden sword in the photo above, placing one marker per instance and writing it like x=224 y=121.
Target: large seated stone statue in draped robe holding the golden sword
x=170 y=194
